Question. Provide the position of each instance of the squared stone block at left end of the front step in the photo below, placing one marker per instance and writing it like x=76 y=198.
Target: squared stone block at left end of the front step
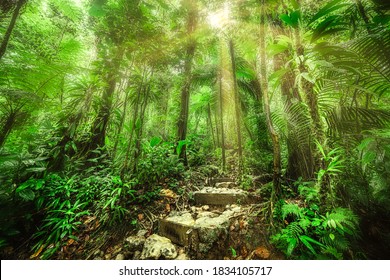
x=177 y=227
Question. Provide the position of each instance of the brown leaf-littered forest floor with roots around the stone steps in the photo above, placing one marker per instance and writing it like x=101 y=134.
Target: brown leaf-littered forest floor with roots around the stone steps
x=247 y=236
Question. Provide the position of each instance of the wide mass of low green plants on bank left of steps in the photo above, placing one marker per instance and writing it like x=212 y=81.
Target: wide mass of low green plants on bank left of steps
x=62 y=202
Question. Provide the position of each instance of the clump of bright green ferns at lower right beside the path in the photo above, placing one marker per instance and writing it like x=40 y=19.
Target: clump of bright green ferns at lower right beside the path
x=310 y=234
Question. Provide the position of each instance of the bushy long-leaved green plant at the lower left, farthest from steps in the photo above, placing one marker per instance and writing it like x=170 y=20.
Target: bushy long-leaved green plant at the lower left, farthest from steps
x=57 y=199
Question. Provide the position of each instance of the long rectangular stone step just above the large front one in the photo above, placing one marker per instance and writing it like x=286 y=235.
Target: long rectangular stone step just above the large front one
x=223 y=196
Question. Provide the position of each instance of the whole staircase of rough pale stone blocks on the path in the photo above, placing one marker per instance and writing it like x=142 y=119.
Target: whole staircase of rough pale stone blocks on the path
x=203 y=230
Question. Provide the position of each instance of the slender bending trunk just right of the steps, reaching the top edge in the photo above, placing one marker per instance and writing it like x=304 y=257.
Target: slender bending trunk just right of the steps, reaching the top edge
x=267 y=110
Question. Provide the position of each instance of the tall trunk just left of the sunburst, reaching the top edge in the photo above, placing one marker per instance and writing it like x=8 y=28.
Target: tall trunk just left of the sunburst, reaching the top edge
x=185 y=91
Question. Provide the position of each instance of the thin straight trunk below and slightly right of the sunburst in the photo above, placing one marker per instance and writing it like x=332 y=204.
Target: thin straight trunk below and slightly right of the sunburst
x=237 y=104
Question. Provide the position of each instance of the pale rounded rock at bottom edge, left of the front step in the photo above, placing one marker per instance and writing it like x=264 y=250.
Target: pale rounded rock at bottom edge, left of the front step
x=157 y=246
